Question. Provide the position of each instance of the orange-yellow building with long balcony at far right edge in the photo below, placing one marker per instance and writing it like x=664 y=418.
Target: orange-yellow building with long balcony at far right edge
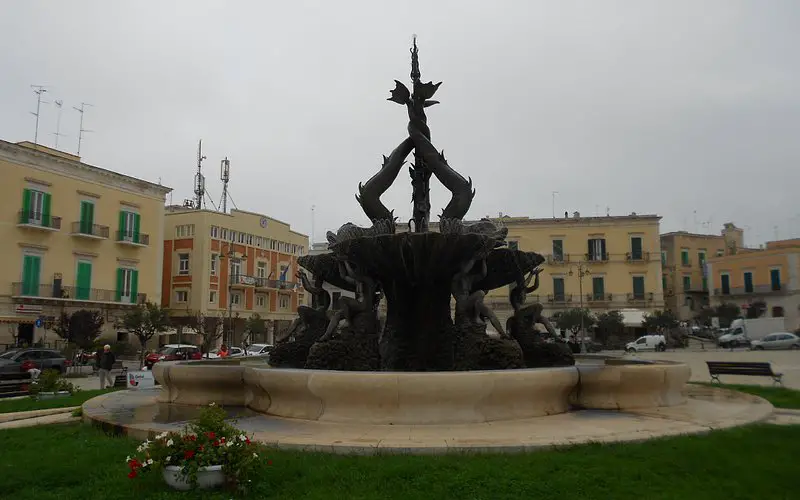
x=771 y=275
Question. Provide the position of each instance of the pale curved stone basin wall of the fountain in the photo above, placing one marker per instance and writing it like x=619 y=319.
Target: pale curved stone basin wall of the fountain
x=423 y=398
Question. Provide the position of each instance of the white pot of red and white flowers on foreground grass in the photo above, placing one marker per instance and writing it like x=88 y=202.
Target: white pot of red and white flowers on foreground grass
x=207 y=453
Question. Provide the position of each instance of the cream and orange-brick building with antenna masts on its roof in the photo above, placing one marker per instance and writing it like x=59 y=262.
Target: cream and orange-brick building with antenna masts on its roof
x=239 y=263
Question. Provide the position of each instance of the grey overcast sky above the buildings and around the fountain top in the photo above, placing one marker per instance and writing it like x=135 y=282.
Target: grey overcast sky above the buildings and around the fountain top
x=687 y=109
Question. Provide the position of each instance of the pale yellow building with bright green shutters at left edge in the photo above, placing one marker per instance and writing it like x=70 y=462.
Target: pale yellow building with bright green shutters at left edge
x=74 y=236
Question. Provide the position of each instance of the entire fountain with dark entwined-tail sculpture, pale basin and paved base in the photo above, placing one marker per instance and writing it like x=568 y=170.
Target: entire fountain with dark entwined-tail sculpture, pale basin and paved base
x=427 y=377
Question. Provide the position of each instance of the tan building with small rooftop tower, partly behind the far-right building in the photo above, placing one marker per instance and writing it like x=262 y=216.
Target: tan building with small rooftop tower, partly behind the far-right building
x=683 y=258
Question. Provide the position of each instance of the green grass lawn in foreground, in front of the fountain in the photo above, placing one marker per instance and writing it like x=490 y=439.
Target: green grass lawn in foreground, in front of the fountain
x=78 y=461
